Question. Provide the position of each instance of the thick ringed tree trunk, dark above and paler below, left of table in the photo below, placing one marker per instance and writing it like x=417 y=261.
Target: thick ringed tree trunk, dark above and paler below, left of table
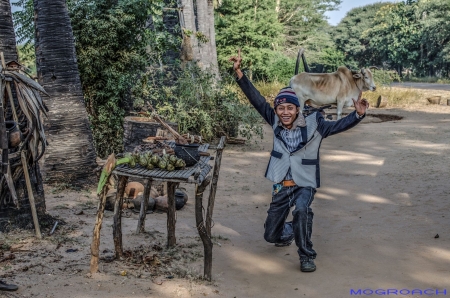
x=70 y=157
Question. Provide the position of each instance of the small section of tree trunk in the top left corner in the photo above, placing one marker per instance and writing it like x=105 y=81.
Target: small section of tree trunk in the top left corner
x=7 y=35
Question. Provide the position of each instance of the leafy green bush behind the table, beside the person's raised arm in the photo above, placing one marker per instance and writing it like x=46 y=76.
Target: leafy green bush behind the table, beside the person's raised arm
x=203 y=105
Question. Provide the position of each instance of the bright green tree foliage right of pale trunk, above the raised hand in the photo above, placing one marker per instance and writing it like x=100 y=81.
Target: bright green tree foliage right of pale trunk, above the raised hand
x=253 y=26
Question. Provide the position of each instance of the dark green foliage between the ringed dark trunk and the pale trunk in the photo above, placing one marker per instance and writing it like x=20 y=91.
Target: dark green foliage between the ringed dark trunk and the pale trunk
x=111 y=40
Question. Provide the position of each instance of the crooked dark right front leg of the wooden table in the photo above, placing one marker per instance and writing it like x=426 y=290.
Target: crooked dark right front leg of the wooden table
x=207 y=243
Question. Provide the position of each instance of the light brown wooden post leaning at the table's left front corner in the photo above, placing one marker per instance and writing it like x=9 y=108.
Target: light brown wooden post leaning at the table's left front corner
x=95 y=246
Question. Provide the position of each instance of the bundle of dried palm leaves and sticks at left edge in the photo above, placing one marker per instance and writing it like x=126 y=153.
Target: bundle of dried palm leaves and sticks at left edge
x=21 y=182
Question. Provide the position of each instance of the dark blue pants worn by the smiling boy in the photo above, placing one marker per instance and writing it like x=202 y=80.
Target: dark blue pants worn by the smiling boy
x=277 y=230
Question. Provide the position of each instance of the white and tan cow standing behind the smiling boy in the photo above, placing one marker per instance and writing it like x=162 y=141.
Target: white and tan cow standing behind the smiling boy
x=337 y=88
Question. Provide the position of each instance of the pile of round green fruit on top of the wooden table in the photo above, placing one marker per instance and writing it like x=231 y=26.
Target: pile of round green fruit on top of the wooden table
x=151 y=161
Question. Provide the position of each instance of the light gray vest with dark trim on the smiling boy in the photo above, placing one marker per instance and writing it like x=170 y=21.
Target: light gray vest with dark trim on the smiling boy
x=304 y=162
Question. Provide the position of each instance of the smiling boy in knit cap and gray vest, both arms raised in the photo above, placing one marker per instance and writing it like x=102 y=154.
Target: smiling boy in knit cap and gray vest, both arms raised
x=294 y=163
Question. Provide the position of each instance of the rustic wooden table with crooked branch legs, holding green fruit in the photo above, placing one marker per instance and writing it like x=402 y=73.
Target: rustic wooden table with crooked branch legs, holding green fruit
x=197 y=174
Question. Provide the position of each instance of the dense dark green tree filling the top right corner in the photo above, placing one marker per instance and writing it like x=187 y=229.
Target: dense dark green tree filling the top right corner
x=412 y=35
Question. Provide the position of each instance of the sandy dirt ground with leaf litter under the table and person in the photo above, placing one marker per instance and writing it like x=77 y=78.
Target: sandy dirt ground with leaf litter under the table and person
x=382 y=204
